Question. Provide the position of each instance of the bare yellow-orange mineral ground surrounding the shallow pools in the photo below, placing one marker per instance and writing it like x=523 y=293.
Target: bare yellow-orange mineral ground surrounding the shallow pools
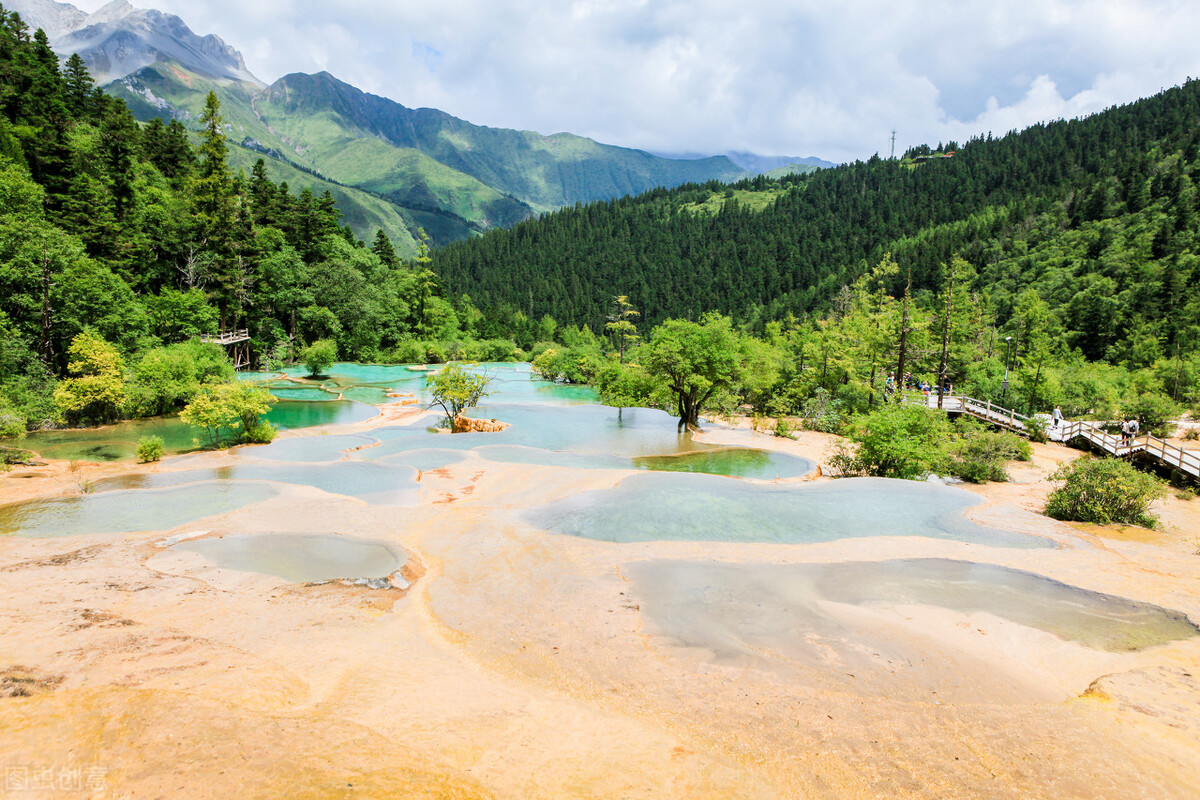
x=521 y=665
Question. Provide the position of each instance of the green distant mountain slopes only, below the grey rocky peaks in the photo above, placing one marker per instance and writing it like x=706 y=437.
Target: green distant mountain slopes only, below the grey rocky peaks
x=453 y=178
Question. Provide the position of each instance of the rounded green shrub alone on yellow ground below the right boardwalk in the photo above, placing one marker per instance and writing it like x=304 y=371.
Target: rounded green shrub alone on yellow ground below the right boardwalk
x=1103 y=491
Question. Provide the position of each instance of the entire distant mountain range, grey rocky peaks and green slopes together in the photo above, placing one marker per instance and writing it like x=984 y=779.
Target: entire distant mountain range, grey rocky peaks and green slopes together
x=389 y=167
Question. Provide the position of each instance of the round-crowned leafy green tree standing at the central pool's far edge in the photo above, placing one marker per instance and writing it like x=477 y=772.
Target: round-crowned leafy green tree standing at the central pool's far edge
x=694 y=362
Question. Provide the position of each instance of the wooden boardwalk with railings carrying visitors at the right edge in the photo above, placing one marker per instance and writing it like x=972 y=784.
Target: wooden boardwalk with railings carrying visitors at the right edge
x=1166 y=454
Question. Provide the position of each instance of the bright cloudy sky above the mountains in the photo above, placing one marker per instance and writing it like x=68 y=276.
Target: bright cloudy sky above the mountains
x=775 y=77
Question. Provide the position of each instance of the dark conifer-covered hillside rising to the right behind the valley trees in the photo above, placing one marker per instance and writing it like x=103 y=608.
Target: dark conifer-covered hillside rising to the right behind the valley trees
x=1097 y=215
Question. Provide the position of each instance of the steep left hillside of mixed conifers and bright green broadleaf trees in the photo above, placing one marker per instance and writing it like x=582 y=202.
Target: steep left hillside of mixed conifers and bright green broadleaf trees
x=122 y=244
